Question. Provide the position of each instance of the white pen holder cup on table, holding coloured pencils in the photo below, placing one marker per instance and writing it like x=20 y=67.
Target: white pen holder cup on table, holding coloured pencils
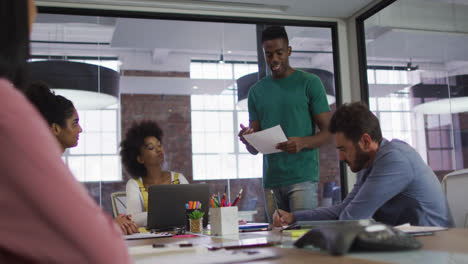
x=224 y=221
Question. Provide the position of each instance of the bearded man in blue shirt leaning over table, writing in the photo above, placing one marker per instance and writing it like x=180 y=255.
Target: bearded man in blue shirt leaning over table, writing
x=394 y=185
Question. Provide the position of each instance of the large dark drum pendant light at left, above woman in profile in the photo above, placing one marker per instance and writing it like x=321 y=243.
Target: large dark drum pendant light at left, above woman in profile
x=88 y=86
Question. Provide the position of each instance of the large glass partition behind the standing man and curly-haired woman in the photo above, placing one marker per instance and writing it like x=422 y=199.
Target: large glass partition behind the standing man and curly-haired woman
x=185 y=76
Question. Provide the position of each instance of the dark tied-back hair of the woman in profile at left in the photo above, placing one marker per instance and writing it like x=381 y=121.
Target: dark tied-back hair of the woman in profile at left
x=54 y=108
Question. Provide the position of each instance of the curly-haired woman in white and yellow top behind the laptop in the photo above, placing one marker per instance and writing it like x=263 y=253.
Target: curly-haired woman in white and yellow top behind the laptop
x=143 y=156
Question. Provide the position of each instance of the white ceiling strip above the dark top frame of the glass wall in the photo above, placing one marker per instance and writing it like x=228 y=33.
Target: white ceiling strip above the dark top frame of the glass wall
x=303 y=8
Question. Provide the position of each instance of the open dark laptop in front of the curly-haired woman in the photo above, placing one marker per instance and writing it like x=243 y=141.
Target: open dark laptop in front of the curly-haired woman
x=166 y=204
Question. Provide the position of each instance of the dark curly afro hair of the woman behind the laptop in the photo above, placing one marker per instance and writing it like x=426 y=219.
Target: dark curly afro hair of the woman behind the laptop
x=134 y=139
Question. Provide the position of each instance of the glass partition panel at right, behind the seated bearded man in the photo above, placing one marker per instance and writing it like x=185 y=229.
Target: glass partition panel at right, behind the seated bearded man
x=417 y=66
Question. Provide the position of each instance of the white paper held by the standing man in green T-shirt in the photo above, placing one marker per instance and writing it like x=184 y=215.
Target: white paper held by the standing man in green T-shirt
x=265 y=141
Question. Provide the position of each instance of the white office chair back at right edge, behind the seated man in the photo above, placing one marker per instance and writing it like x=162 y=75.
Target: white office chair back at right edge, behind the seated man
x=455 y=185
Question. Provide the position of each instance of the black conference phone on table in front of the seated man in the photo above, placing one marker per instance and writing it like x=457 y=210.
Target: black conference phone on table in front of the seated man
x=339 y=239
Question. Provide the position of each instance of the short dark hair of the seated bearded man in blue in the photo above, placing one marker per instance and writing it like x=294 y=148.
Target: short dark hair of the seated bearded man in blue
x=355 y=119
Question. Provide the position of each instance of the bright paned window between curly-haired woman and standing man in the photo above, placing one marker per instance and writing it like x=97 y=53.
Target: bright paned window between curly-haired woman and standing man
x=215 y=145
